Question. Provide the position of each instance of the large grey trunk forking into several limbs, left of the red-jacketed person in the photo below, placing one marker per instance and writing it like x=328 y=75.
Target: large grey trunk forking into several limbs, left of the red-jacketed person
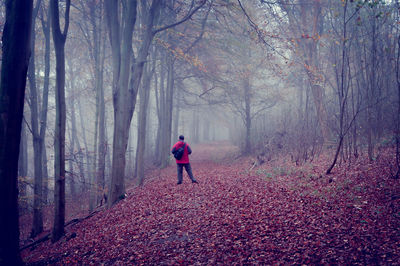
x=124 y=98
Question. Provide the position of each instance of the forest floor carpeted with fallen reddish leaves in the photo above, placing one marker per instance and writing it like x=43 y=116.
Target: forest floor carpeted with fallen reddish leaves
x=277 y=213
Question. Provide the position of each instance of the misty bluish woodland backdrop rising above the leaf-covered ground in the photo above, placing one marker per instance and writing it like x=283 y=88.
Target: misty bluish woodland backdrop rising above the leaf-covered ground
x=295 y=78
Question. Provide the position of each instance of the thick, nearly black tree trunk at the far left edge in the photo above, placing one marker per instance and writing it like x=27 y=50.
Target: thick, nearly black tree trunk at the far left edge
x=15 y=60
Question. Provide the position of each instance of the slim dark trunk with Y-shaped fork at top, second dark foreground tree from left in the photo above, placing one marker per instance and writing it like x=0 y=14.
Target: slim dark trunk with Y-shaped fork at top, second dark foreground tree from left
x=59 y=39
